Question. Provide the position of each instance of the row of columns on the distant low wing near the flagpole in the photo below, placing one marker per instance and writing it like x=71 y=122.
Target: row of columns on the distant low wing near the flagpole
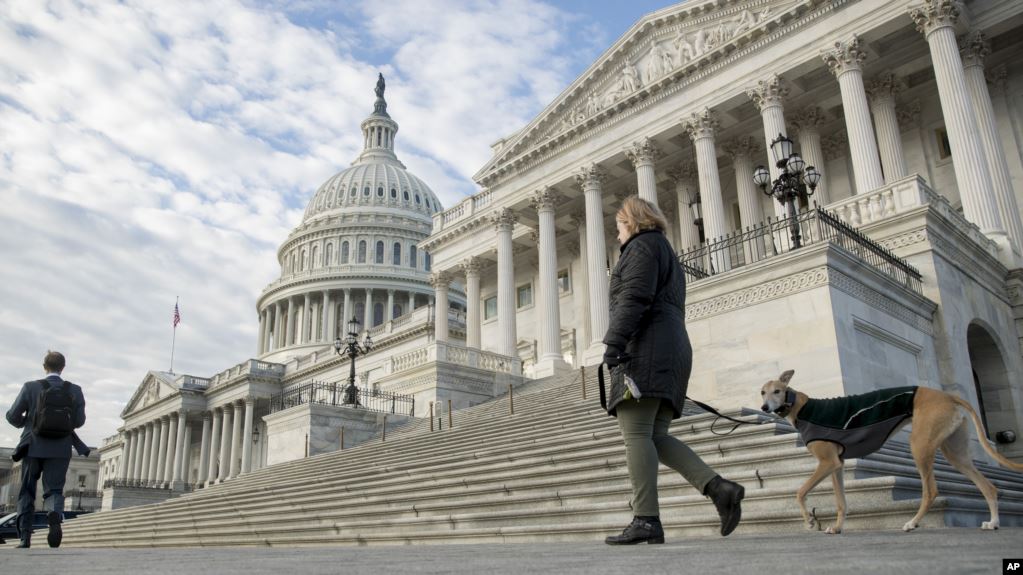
x=156 y=454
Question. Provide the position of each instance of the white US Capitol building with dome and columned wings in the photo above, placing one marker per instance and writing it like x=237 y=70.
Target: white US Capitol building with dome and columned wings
x=911 y=113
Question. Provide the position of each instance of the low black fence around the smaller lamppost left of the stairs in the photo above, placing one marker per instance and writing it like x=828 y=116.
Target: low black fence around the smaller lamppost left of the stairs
x=343 y=395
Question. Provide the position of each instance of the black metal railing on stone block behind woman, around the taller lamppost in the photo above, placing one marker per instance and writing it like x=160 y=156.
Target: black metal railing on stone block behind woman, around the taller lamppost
x=775 y=238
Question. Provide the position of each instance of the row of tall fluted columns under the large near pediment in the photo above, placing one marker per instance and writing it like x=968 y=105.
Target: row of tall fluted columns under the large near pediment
x=875 y=150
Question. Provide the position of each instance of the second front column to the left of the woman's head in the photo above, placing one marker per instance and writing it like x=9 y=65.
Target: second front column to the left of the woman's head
x=551 y=357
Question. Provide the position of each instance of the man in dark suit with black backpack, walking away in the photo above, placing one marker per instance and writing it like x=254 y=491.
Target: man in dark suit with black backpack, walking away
x=50 y=411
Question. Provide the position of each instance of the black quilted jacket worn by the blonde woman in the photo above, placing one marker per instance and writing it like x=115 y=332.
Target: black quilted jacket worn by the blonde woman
x=648 y=321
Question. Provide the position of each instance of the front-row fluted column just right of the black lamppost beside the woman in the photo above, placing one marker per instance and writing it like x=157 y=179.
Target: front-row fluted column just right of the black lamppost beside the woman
x=846 y=62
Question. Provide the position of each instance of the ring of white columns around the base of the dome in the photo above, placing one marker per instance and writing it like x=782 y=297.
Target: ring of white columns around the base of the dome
x=282 y=325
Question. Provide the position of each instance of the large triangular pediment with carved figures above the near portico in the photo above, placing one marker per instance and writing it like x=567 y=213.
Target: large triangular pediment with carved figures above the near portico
x=659 y=50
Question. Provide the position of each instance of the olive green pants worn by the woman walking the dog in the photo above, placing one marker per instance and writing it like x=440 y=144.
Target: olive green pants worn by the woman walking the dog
x=645 y=428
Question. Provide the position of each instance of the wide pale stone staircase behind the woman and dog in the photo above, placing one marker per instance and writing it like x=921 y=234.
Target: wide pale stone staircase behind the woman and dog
x=555 y=470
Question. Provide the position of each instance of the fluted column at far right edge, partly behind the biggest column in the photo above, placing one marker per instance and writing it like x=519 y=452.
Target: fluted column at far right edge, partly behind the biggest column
x=974 y=50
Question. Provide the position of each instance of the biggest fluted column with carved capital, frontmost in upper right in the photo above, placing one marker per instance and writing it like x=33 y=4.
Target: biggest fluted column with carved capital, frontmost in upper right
x=937 y=20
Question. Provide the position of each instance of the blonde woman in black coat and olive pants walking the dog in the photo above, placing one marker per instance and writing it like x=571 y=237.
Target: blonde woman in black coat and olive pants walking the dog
x=647 y=337
